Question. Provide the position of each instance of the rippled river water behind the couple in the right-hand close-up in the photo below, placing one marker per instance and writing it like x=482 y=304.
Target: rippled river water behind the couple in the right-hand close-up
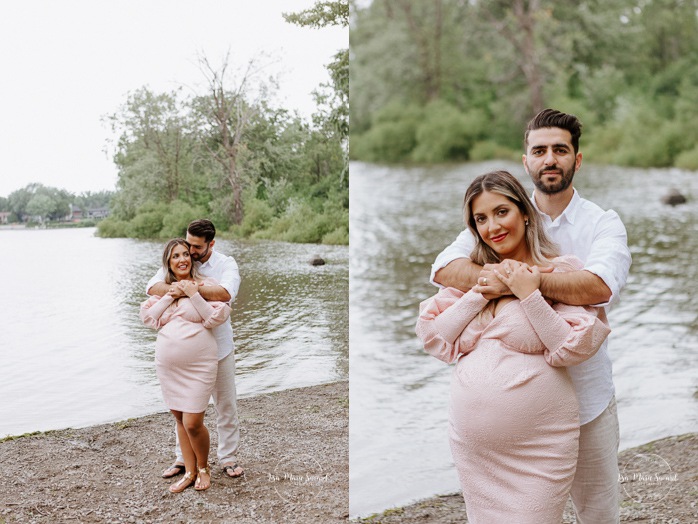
x=400 y=218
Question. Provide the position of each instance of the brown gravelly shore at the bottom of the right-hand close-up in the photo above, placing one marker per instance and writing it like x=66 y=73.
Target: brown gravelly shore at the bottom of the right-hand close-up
x=659 y=484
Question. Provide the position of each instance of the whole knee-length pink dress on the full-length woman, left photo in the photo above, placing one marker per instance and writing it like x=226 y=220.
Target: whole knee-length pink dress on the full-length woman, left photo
x=186 y=353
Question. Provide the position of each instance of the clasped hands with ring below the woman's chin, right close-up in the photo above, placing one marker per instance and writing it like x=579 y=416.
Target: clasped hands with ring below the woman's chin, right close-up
x=507 y=278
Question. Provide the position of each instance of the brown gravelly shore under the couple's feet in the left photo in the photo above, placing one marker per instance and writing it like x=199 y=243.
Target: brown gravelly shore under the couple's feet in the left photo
x=294 y=450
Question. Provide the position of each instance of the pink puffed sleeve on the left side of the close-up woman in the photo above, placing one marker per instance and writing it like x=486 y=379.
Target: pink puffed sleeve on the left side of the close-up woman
x=443 y=320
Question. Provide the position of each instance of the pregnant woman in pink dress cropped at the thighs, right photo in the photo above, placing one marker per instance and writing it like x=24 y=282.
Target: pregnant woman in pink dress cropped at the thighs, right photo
x=513 y=416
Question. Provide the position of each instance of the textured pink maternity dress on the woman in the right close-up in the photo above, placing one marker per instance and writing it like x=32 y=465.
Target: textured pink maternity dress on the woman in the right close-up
x=513 y=416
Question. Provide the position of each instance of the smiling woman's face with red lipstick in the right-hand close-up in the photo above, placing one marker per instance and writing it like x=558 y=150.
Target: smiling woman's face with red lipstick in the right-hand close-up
x=501 y=225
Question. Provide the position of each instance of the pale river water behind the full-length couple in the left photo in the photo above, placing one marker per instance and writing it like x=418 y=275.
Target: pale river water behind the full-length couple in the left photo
x=74 y=352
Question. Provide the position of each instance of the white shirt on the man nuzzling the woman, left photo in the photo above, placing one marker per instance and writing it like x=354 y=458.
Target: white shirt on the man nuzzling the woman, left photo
x=225 y=271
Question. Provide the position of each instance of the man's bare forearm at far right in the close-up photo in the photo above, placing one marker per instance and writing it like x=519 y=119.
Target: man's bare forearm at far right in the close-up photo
x=576 y=288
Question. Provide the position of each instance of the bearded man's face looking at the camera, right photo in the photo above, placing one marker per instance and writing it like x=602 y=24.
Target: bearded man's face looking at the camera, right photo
x=550 y=160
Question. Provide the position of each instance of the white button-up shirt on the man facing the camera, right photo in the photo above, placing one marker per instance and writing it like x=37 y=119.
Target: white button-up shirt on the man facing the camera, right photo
x=598 y=238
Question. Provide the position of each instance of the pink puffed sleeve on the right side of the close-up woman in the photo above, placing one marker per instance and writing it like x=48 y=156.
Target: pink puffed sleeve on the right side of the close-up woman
x=570 y=334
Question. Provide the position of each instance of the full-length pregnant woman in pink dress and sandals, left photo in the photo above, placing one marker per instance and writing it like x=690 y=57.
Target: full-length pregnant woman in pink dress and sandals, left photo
x=186 y=357
